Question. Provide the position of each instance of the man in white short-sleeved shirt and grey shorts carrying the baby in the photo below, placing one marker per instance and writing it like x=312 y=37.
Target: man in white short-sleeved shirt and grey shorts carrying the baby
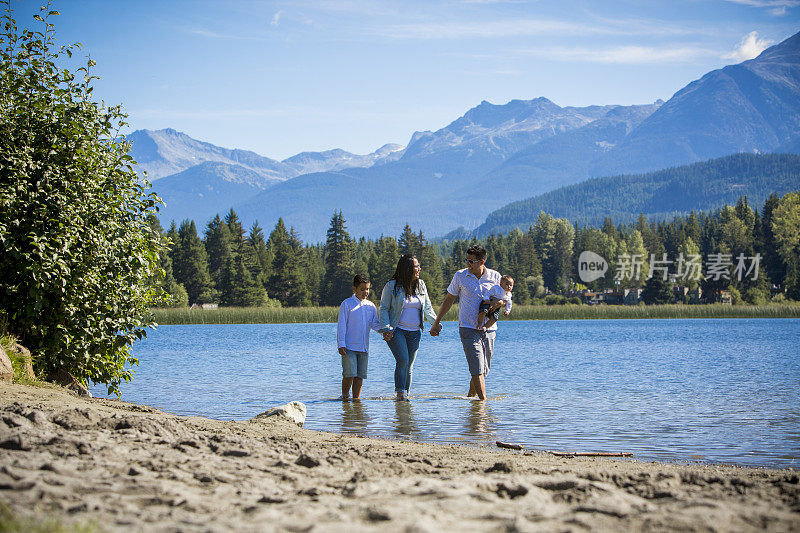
x=469 y=285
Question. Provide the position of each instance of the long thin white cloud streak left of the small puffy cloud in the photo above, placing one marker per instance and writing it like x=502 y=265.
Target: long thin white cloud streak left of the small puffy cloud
x=626 y=55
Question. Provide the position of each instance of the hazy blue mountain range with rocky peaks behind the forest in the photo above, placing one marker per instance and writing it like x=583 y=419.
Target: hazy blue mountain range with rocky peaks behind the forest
x=491 y=156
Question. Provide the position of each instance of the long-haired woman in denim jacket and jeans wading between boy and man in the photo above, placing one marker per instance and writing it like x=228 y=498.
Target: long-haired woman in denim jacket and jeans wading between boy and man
x=404 y=306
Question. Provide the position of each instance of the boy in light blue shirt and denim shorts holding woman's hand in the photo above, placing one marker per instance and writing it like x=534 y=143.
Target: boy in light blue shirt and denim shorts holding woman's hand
x=357 y=316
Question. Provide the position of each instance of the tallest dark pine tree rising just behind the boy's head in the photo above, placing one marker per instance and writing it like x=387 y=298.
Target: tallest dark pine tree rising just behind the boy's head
x=338 y=262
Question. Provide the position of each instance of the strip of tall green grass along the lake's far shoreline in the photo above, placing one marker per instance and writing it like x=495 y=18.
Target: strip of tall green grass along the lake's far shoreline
x=289 y=315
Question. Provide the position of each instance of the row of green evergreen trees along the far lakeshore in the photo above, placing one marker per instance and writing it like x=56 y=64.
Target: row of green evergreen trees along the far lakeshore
x=234 y=267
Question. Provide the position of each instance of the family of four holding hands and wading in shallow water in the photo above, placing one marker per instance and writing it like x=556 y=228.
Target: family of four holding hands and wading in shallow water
x=405 y=306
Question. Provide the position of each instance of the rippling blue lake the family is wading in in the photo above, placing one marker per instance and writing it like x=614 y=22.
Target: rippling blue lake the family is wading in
x=710 y=390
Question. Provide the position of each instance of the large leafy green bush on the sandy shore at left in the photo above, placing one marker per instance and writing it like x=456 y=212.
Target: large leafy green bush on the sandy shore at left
x=76 y=254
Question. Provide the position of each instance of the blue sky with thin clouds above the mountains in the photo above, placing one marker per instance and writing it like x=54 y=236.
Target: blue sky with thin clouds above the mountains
x=281 y=77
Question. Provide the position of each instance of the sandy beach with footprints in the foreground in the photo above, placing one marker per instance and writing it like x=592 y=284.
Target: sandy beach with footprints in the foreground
x=126 y=467
